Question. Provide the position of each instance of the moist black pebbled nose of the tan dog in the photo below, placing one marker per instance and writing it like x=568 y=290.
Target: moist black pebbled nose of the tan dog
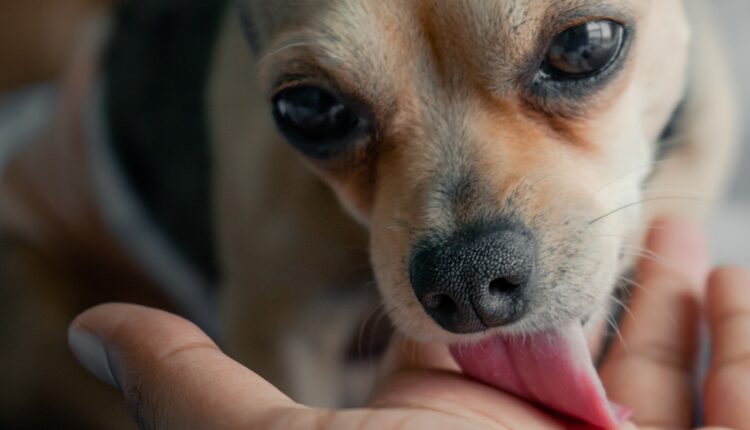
x=476 y=279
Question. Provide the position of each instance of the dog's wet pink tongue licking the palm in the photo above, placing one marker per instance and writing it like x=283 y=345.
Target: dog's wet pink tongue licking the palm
x=553 y=369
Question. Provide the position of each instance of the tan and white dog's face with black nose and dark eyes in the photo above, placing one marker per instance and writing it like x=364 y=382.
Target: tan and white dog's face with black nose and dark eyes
x=489 y=145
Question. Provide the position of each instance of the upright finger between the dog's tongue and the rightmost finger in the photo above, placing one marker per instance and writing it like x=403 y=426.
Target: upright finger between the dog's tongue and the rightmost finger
x=651 y=370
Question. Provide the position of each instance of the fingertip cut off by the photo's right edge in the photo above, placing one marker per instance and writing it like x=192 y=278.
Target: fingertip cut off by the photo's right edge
x=727 y=389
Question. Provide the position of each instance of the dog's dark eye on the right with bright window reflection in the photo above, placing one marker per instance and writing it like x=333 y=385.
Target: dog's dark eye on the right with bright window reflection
x=584 y=50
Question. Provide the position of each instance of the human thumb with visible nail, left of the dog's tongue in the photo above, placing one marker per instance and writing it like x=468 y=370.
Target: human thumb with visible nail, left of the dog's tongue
x=172 y=375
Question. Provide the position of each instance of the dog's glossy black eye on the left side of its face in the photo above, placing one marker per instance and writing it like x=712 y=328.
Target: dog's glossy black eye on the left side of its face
x=314 y=120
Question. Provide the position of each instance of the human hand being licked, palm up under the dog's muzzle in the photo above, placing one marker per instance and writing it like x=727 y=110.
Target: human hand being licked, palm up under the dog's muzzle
x=174 y=377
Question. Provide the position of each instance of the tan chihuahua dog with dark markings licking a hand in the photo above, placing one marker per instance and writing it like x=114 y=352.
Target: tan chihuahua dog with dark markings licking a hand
x=491 y=164
